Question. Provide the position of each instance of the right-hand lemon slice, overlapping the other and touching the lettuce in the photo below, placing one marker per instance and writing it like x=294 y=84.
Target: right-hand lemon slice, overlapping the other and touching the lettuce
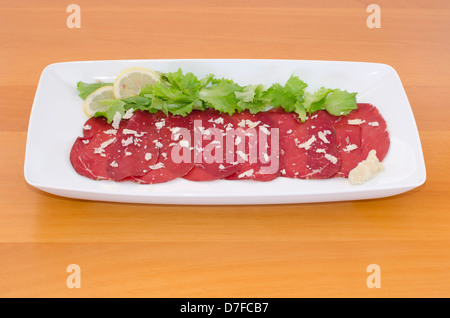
x=132 y=81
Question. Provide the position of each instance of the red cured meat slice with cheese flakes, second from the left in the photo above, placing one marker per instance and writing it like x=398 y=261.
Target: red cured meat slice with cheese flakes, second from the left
x=137 y=147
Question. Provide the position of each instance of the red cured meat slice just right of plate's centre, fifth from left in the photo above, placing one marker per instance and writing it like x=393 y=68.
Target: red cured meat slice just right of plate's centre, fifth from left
x=257 y=147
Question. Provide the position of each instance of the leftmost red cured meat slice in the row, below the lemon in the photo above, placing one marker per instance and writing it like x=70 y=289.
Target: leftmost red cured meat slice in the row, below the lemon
x=90 y=153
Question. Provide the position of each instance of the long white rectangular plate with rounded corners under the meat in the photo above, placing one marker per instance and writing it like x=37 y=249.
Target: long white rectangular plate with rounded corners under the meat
x=57 y=118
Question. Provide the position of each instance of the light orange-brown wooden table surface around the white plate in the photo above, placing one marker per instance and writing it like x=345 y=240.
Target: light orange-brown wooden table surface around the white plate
x=314 y=250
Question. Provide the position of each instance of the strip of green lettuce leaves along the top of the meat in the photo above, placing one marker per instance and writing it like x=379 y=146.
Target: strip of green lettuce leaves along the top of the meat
x=179 y=94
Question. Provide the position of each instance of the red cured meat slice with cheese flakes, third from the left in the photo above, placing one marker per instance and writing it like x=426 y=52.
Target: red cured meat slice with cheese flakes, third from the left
x=176 y=155
